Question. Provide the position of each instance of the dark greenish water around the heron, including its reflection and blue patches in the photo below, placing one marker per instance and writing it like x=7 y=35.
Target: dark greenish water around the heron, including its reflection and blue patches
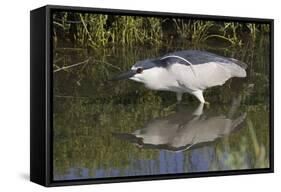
x=108 y=129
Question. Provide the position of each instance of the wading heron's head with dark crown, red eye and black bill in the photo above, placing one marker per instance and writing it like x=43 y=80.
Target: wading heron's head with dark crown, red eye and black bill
x=142 y=71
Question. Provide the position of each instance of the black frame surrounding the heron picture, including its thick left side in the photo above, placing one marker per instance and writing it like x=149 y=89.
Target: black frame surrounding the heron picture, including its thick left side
x=41 y=96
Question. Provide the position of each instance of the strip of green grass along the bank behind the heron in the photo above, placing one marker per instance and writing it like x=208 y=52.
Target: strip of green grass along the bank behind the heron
x=95 y=30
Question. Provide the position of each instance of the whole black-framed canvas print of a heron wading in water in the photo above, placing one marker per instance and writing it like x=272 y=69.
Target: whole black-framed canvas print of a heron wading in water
x=122 y=95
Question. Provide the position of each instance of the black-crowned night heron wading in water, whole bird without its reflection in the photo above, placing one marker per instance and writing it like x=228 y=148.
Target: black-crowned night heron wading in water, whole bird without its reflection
x=185 y=72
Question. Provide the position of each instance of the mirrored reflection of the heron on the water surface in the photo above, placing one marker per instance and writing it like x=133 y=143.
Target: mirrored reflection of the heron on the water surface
x=183 y=130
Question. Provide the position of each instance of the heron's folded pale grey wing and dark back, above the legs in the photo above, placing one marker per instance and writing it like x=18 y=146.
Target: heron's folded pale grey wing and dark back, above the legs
x=201 y=69
